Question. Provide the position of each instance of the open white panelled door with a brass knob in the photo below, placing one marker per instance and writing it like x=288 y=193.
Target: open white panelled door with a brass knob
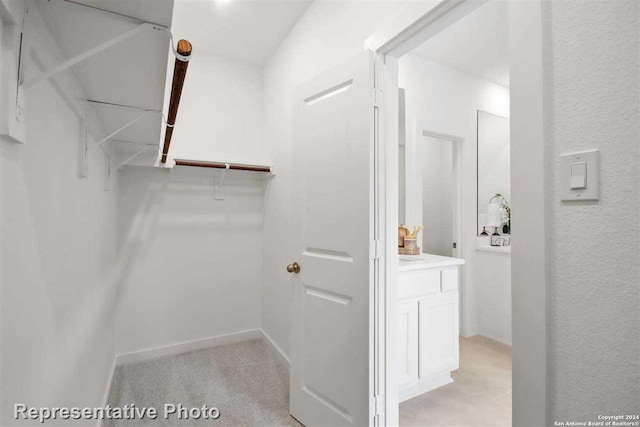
x=332 y=195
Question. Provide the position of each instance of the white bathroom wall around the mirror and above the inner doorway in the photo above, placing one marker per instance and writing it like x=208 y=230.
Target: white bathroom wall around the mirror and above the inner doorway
x=445 y=100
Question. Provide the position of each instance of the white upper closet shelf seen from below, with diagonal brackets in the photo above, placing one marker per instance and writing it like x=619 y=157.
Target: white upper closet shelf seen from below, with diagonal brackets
x=117 y=53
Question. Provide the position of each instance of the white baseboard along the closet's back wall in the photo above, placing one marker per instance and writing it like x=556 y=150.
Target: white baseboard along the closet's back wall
x=185 y=347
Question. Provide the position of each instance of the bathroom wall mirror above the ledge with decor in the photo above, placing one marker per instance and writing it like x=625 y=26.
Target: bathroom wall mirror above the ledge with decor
x=493 y=173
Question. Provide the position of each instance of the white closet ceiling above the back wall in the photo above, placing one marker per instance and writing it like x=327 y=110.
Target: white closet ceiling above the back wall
x=248 y=31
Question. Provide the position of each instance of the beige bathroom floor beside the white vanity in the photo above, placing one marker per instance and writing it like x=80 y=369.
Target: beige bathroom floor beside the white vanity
x=479 y=396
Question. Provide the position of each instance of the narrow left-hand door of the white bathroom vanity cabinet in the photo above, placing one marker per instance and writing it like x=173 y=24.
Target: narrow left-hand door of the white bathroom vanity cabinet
x=408 y=342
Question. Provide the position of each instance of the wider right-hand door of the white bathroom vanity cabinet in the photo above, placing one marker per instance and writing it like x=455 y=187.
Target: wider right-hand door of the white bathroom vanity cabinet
x=438 y=335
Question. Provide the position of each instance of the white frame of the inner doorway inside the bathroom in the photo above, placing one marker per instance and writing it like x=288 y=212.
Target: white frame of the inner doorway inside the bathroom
x=421 y=131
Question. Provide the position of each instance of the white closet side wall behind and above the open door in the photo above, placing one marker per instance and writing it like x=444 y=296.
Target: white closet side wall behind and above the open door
x=328 y=34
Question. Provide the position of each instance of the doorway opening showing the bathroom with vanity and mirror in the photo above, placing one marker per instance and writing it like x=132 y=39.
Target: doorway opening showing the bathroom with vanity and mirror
x=453 y=325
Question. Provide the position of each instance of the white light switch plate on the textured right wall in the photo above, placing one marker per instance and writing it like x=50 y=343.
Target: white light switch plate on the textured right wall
x=574 y=161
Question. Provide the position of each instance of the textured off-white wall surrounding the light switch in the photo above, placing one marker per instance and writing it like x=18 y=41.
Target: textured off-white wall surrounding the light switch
x=594 y=279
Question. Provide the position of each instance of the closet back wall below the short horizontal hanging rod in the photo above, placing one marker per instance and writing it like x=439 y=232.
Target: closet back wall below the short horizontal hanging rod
x=195 y=262
